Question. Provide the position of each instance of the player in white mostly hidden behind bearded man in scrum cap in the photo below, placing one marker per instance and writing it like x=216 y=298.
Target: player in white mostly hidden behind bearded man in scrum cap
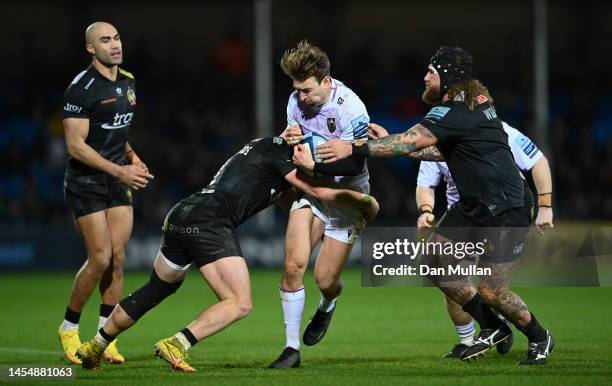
x=528 y=158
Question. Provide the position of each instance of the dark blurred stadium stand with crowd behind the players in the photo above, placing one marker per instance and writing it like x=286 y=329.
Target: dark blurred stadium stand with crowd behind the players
x=194 y=67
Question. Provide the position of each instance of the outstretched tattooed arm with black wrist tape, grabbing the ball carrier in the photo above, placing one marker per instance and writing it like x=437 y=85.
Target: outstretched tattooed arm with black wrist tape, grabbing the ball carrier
x=415 y=139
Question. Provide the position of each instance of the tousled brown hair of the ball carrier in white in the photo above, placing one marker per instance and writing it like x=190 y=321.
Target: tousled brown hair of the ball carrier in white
x=304 y=61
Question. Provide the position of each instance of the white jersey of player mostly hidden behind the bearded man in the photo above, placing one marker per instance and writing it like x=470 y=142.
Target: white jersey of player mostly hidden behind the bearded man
x=525 y=153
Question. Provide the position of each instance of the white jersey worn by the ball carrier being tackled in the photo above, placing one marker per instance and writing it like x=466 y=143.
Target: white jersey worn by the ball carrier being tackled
x=344 y=116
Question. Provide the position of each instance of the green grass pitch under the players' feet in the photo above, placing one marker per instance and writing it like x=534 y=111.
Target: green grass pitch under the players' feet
x=378 y=336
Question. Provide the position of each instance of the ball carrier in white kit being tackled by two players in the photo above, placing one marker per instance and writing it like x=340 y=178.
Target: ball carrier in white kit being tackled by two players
x=323 y=105
